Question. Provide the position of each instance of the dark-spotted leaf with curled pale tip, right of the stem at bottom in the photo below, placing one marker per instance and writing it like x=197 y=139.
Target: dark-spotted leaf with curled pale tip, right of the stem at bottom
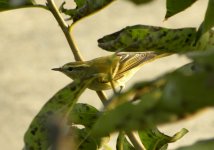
x=152 y=138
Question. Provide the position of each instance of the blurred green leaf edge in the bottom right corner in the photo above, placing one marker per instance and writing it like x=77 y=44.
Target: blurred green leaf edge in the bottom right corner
x=200 y=145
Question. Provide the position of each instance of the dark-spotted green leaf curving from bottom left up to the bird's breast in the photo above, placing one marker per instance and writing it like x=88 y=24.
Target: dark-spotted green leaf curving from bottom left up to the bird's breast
x=46 y=126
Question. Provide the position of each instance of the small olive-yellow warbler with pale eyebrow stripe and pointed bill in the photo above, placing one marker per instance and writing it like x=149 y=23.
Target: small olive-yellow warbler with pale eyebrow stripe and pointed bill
x=111 y=71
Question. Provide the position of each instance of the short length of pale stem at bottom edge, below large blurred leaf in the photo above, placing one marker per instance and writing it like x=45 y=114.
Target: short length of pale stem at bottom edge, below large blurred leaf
x=137 y=144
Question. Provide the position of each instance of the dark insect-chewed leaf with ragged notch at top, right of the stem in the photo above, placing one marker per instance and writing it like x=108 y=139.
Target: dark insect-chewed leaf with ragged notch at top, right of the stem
x=84 y=8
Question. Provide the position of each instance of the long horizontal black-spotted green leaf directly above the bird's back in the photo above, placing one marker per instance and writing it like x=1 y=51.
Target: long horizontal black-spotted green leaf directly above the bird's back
x=149 y=38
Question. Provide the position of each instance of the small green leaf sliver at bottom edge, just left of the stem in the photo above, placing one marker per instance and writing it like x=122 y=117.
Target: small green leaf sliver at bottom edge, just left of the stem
x=122 y=143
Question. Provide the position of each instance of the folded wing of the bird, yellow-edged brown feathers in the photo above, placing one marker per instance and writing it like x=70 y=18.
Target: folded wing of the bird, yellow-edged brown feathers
x=129 y=61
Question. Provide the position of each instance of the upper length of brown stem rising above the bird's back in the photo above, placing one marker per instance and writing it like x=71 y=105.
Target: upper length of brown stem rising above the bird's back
x=65 y=28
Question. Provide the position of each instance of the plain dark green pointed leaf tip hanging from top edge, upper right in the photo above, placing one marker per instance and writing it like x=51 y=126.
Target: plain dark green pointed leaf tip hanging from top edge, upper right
x=175 y=6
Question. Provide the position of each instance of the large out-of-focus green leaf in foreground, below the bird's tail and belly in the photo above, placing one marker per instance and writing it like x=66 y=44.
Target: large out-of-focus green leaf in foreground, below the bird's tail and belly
x=169 y=98
